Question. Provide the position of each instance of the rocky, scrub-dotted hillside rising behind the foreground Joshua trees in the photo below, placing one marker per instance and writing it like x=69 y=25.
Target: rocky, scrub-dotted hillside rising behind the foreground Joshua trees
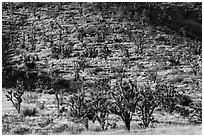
x=89 y=41
